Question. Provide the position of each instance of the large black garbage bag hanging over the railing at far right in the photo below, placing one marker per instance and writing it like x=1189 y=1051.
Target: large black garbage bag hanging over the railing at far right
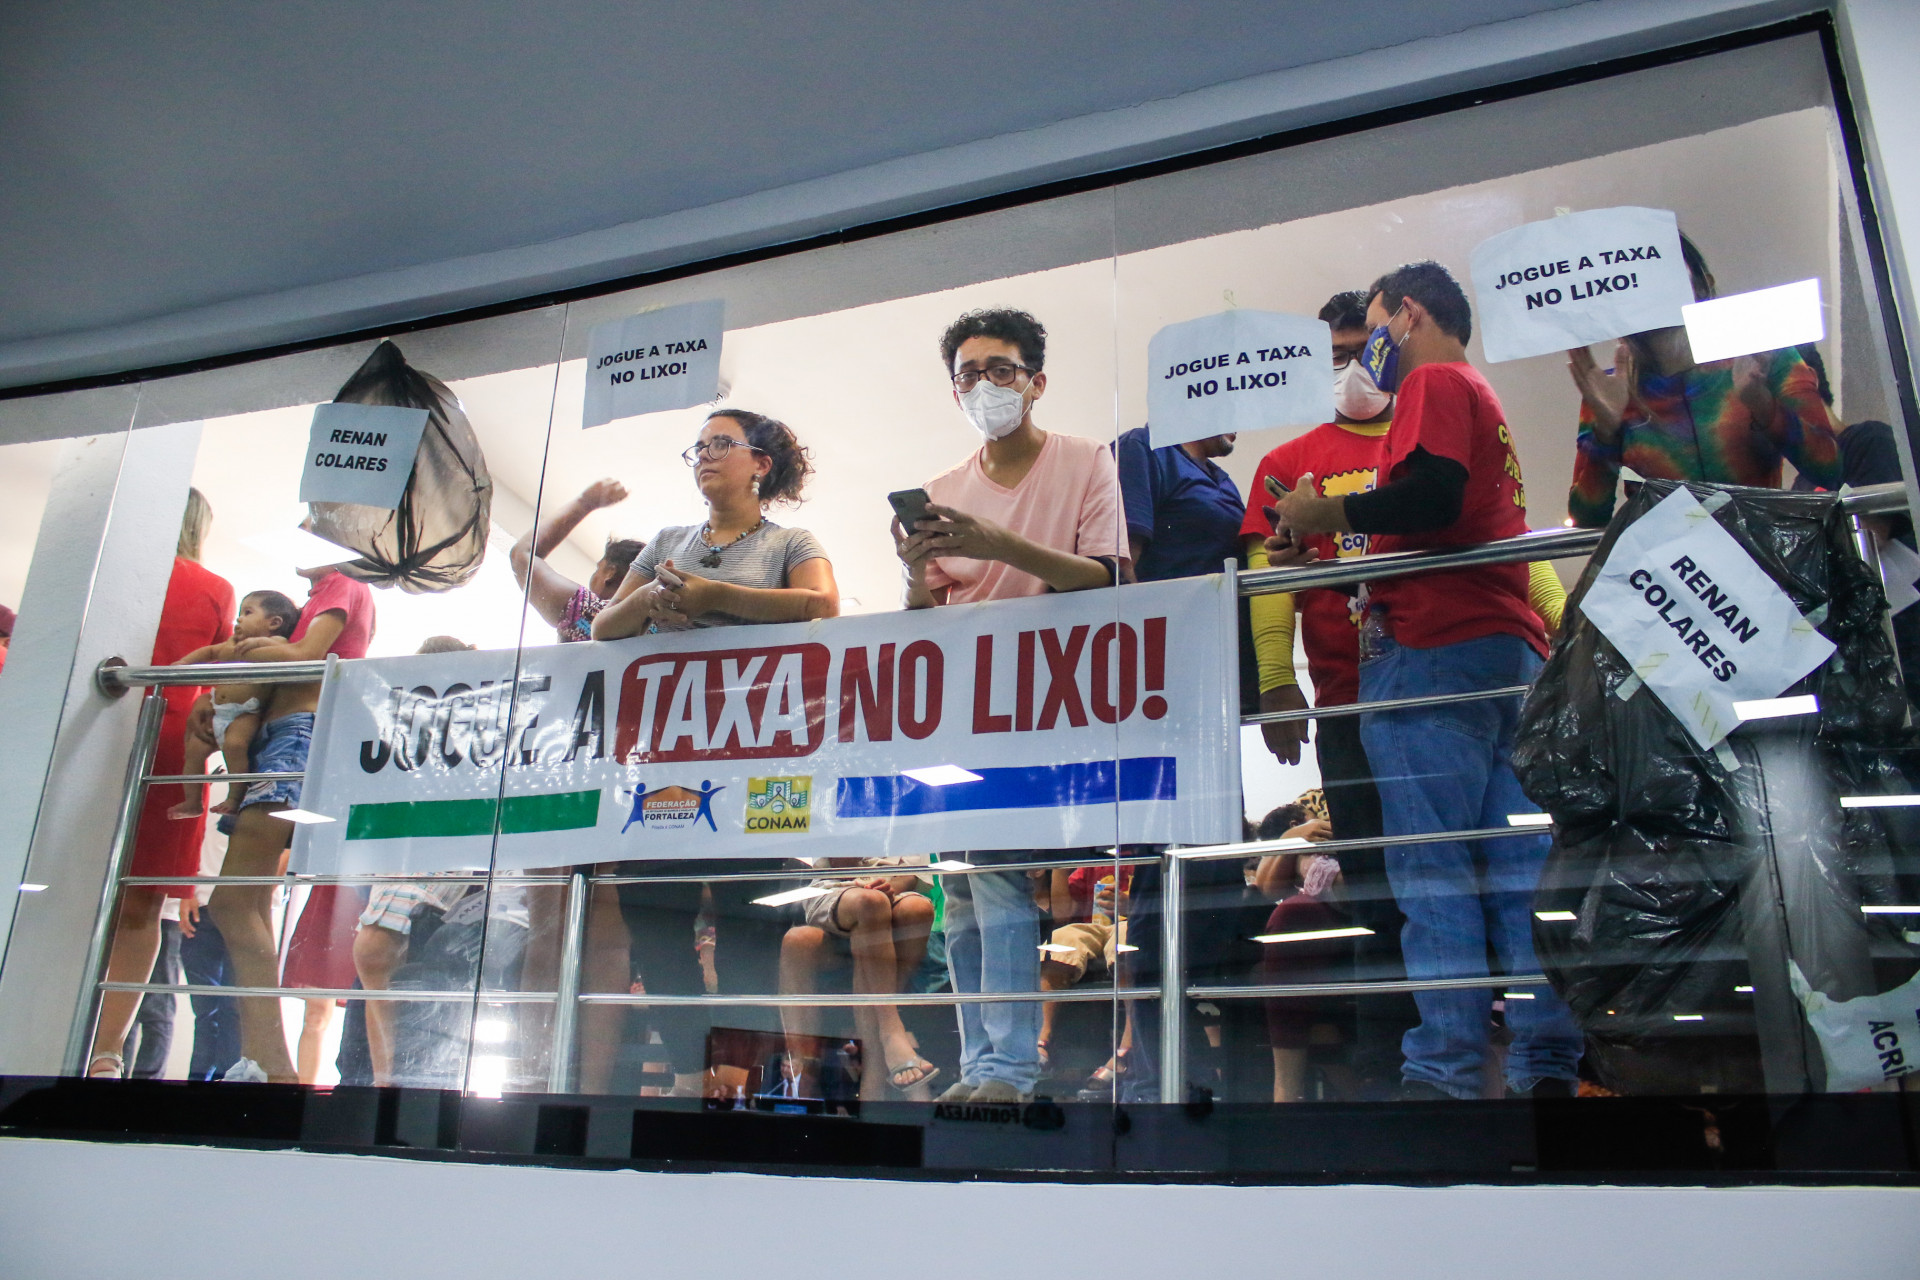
x=1675 y=865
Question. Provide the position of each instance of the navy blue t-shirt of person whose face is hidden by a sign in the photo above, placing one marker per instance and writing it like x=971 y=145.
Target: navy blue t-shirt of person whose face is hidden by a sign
x=1188 y=515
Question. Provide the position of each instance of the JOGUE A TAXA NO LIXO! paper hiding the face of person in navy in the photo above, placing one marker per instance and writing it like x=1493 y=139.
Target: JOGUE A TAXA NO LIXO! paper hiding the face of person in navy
x=1237 y=371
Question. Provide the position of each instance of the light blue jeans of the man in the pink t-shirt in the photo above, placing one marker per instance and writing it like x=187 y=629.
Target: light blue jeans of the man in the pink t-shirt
x=994 y=943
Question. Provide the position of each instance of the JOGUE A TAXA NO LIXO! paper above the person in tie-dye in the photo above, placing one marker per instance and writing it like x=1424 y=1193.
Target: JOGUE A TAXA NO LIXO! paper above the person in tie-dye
x=1579 y=279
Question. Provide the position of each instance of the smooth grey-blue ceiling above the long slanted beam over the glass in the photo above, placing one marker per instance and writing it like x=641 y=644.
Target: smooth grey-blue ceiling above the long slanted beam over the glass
x=172 y=158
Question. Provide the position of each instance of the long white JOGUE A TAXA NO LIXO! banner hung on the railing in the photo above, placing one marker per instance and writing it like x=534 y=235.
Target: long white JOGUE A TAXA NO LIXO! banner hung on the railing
x=1067 y=721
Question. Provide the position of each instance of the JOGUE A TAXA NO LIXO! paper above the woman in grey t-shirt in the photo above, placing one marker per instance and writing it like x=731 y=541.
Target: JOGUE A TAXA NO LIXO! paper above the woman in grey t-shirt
x=654 y=362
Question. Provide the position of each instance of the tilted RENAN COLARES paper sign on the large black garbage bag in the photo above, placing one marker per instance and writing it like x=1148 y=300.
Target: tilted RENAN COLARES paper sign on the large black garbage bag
x=1700 y=623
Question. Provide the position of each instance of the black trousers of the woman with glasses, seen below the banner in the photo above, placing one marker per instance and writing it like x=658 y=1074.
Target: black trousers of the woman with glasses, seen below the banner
x=660 y=926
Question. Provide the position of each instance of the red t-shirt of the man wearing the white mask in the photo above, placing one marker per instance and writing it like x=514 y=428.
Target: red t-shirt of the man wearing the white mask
x=1341 y=462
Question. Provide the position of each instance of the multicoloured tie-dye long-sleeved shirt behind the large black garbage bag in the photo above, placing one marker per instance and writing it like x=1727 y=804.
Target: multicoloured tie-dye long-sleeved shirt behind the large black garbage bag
x=1698 y=429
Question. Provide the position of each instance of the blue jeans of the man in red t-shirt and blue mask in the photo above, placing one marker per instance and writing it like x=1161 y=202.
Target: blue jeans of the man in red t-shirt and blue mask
x=1447 y=769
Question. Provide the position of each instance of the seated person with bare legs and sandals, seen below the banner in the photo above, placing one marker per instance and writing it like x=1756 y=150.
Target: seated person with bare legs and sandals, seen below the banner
x=884 y=922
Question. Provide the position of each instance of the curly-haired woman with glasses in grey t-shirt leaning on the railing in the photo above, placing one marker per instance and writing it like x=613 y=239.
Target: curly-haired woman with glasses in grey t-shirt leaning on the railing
x=736 y=567
